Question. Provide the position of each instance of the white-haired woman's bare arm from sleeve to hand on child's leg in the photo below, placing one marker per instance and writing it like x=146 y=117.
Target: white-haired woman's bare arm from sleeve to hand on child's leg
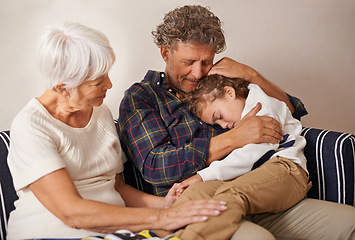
x=64 y=201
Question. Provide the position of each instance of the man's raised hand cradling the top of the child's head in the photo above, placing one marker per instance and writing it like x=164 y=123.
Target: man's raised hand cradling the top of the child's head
x=231 y=68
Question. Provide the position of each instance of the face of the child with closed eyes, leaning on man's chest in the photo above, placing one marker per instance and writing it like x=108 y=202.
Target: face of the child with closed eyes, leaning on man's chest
x=225 y=111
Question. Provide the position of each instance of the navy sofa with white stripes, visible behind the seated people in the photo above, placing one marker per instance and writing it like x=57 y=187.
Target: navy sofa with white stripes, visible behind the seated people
x=330 y=161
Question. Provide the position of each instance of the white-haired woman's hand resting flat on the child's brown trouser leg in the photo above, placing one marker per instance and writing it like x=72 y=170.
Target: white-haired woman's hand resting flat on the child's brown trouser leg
x=190 y=212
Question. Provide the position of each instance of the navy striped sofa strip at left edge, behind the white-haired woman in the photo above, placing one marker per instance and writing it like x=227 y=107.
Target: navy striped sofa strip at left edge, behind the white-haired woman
x=7 y=191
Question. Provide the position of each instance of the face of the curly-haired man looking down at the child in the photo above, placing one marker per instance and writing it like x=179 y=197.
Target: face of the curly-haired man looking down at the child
x=186 y=64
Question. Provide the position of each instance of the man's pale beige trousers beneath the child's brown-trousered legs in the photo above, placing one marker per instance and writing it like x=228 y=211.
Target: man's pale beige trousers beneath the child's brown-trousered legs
x=310 y=219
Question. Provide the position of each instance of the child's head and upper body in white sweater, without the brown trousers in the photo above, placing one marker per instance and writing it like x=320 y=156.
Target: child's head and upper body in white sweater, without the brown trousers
x=225 y=101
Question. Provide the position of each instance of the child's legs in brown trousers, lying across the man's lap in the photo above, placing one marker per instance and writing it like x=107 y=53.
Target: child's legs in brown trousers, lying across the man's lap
x=273 y=187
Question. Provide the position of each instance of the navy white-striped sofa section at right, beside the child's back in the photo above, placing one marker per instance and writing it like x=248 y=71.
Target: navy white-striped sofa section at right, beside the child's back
x=330 y=162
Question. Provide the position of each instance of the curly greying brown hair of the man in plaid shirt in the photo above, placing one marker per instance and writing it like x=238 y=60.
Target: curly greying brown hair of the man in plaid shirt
x=190 y=24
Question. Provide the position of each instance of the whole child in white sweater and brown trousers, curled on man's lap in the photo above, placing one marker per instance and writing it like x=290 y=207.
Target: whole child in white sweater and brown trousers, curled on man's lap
x=266 y=177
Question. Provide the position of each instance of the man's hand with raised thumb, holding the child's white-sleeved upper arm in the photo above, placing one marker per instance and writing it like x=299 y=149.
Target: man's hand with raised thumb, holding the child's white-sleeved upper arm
x=257 y=129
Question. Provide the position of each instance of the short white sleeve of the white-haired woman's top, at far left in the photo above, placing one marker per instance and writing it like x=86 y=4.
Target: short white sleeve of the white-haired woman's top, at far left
x=32 y=154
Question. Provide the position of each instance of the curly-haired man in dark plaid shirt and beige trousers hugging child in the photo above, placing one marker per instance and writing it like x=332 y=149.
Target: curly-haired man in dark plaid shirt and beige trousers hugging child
x=168 y=144
